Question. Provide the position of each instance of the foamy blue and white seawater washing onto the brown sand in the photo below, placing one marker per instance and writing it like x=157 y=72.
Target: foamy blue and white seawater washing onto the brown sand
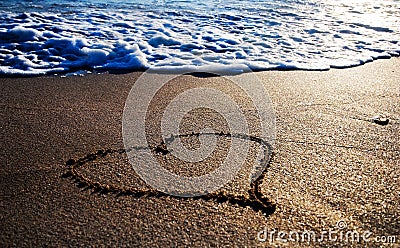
x=60 y=38
